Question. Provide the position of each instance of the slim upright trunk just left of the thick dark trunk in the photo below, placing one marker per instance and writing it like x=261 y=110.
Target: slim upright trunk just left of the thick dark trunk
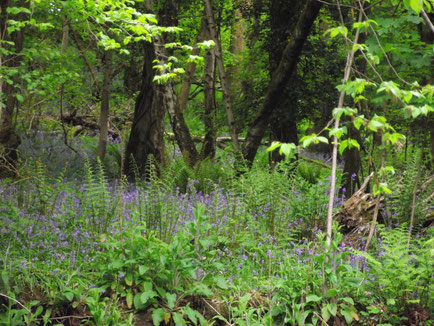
x=105 y=105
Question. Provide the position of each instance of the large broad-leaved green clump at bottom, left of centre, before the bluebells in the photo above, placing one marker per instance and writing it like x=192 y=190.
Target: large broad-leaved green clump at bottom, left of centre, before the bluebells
x=148 y=272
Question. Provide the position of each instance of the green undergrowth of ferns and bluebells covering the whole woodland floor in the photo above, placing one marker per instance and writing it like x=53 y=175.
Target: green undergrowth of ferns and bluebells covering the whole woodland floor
x=251 y=253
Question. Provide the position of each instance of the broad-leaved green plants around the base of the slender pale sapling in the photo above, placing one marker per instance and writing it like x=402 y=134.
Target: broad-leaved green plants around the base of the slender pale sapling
x=324 y=282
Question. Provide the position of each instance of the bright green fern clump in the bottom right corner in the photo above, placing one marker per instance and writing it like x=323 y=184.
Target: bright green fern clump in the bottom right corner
x=401 y=290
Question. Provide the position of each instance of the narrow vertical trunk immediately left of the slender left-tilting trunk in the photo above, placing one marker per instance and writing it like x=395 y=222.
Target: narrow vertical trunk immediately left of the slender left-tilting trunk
x=209 y=143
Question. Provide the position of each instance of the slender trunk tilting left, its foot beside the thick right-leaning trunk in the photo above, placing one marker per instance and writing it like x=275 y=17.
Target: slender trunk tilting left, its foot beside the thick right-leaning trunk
x=211 y=25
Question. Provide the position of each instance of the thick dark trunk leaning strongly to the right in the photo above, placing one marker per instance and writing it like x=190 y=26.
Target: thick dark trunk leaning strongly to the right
x=280 y=78
